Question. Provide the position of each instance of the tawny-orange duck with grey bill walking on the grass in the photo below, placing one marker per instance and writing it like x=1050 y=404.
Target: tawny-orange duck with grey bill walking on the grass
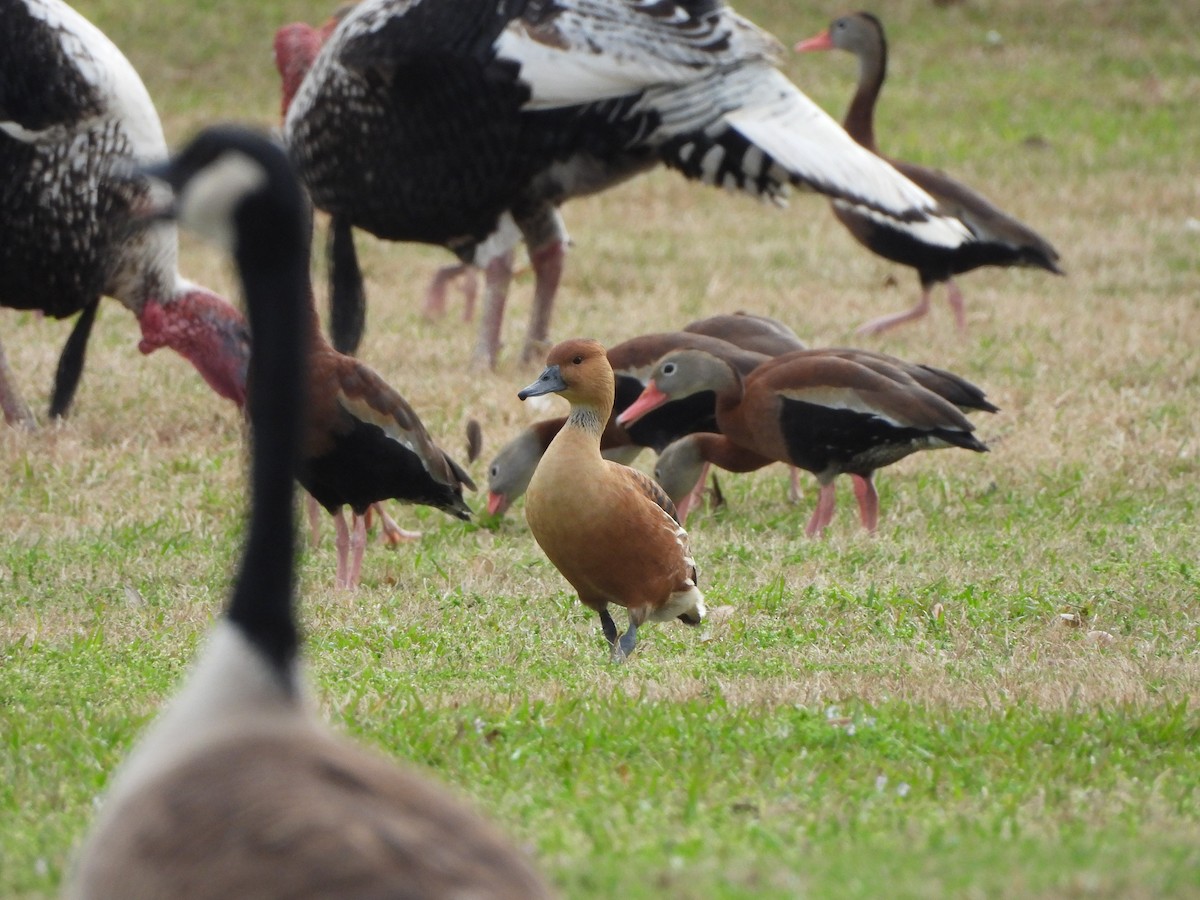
x=608 y=529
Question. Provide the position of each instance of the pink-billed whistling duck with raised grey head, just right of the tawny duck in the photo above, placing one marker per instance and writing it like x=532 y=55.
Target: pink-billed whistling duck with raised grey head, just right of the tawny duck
x=829 y=412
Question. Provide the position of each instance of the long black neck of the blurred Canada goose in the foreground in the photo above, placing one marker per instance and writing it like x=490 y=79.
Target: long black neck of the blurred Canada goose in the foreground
x=274 y=267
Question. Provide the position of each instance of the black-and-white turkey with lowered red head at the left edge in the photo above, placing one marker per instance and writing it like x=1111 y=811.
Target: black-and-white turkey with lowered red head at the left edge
x=75 y=117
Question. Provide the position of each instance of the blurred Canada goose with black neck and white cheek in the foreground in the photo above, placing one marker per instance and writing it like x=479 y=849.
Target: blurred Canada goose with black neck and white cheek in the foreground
x=239 y=790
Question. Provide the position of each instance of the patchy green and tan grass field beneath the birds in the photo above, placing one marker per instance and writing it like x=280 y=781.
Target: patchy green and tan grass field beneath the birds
x=995 y=697
